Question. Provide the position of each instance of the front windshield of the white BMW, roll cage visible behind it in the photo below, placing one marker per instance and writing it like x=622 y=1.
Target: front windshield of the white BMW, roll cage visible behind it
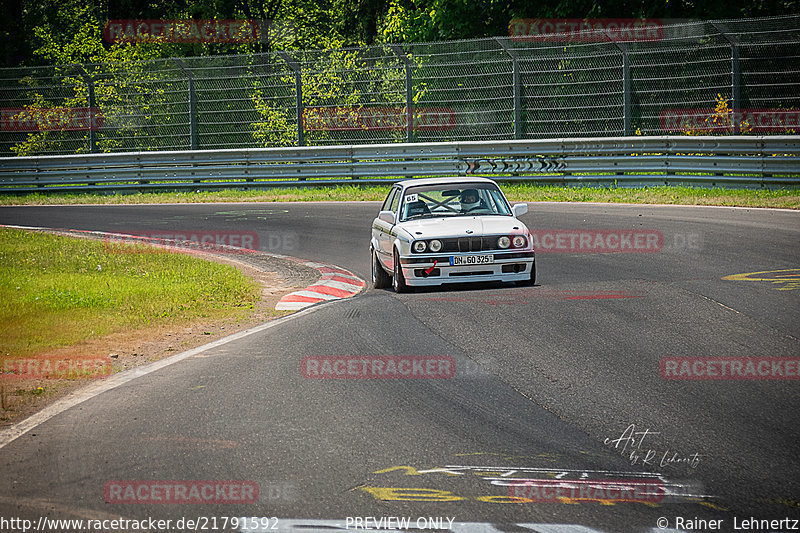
x=445 y=200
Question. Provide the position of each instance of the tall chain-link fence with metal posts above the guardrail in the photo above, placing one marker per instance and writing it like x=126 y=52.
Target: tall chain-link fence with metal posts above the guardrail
x=744 y=73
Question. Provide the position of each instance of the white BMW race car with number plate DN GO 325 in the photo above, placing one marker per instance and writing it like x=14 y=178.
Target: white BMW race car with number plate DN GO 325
x=449 y=230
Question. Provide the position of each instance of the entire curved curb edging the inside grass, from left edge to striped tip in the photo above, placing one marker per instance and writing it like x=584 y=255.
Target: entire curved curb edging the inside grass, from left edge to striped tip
x=335 y=283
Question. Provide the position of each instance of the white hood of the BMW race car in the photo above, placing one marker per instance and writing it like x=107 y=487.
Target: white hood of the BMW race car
x=429 y=228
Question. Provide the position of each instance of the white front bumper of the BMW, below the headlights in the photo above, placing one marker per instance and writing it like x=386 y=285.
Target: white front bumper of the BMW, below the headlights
x=431 y=269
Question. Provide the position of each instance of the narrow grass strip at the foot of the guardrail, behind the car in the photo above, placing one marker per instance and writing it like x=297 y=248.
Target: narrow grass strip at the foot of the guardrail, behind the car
x=780 y=198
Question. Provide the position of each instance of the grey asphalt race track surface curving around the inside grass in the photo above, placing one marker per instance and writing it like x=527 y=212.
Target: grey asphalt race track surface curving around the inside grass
x=548 y=380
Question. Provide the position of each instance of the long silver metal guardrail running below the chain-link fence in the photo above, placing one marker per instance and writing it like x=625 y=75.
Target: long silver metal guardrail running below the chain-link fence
x=743 y=161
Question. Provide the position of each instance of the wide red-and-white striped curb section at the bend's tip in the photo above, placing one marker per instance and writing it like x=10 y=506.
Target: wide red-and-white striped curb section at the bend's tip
x=334 y=283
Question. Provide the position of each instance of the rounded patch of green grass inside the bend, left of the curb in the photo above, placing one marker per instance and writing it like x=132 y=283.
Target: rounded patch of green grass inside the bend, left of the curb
x=57 y=291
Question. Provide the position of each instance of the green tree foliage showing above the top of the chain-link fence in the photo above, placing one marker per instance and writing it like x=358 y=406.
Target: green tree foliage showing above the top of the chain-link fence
x=31 y=25
